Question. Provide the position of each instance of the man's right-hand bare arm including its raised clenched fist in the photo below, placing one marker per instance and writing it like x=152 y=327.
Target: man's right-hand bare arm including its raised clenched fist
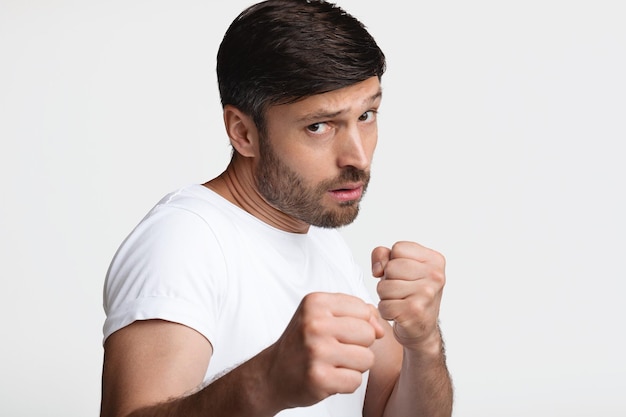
x=410 y=377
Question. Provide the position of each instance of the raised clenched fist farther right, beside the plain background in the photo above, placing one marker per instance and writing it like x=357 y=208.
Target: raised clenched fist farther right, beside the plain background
x=410 y=289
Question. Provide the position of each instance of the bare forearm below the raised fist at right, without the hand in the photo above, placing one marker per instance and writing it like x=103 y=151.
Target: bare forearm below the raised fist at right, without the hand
x=424 y=388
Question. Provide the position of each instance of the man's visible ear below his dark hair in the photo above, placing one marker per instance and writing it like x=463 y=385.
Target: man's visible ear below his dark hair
x=242 y=131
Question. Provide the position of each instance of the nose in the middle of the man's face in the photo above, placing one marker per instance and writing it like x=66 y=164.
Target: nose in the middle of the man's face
x=355 y=148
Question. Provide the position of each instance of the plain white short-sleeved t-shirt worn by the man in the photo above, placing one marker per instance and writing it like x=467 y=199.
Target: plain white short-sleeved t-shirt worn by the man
x=198 y=260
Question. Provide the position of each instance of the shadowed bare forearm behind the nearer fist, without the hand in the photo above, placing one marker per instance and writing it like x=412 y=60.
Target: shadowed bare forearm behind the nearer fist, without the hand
x=241 y=392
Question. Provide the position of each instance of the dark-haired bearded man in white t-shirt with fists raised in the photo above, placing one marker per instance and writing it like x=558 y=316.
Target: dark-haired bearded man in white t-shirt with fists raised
x=238 y=297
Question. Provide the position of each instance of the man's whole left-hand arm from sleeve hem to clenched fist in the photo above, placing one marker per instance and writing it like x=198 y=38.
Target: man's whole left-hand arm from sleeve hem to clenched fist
x=155 y=368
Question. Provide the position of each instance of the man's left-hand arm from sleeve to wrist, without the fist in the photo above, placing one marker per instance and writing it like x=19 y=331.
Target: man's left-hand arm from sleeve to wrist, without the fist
x=156 y=368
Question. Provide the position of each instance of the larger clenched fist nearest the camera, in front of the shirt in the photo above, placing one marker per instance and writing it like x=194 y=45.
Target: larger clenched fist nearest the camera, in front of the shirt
x=325 y=348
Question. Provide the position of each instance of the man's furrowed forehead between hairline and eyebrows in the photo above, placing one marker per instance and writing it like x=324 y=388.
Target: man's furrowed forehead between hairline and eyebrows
x=355 y=98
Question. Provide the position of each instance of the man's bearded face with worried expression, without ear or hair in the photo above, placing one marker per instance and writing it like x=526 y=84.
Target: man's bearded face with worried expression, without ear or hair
x=315 y=159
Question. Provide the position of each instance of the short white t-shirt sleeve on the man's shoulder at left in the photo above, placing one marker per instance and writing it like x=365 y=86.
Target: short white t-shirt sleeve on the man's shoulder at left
x=170 y=267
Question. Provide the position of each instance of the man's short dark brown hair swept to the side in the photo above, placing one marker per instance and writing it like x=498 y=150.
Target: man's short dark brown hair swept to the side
x=280 y=51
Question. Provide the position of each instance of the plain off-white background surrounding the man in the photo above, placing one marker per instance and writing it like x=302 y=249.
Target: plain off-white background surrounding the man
x=501 y=145
